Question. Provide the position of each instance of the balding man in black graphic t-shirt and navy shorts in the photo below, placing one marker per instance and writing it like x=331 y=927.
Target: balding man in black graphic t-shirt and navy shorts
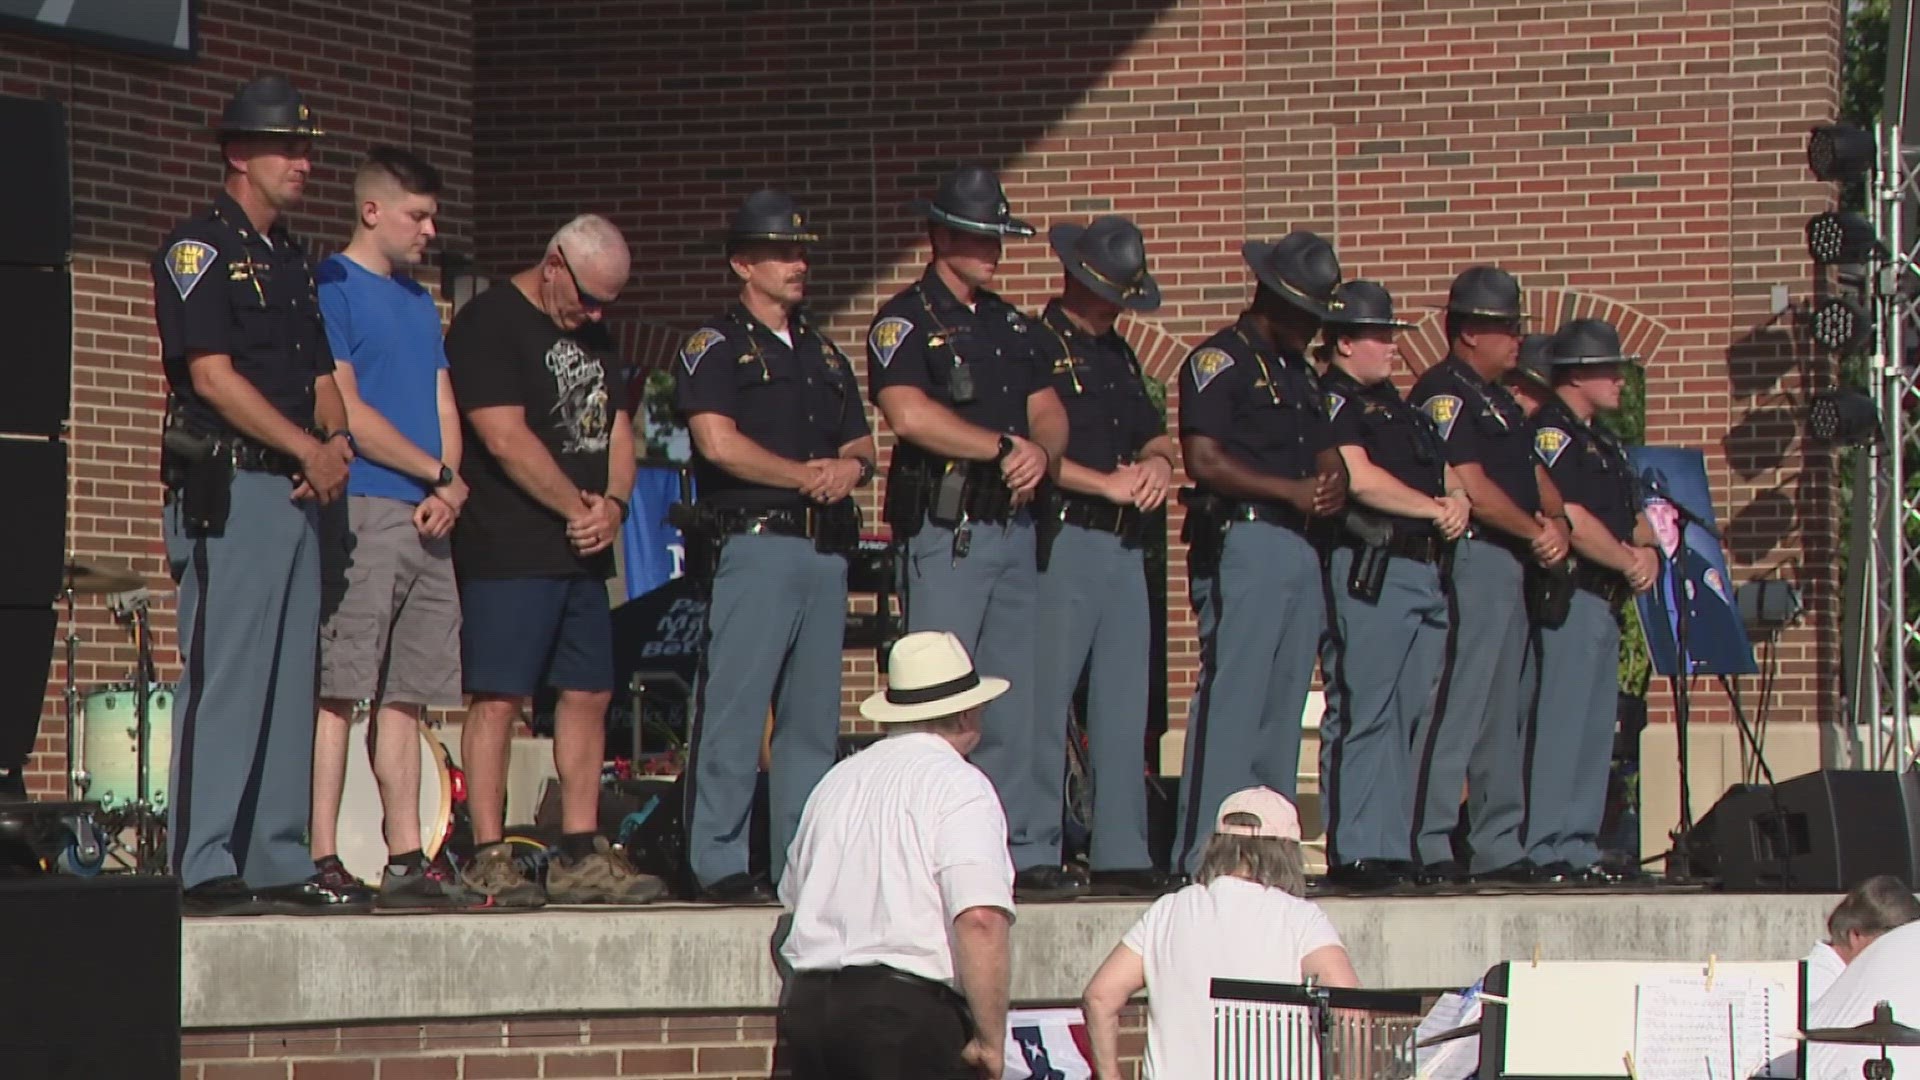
x=550 y=460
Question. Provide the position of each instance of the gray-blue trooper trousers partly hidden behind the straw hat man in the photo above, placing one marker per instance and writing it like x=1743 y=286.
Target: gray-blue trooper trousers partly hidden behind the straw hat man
x=990 y=602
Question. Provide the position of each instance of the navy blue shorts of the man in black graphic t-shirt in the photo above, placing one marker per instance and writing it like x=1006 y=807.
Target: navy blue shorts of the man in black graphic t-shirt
x=519 y=635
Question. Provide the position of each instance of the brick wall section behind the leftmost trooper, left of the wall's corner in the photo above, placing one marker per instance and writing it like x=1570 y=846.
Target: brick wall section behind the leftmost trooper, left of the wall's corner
x=141 y=160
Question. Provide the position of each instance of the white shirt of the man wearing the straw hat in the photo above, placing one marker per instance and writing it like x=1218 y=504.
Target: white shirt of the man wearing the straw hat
x=894 y=845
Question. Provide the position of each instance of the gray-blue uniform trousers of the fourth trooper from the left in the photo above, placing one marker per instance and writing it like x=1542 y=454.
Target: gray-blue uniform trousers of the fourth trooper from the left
x=1093 y=618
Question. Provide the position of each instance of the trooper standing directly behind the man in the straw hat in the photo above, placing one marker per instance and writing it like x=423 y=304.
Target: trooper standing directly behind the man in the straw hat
x=957 y=374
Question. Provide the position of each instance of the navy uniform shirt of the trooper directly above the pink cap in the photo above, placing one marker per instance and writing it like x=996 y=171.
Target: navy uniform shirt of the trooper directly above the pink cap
x=1262 y=405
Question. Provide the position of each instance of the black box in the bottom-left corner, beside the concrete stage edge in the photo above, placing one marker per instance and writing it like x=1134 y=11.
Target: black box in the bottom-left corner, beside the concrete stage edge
x=68 y=939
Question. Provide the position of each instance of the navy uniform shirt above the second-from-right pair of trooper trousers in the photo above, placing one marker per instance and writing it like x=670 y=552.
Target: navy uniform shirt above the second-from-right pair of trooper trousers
x=1481 y=426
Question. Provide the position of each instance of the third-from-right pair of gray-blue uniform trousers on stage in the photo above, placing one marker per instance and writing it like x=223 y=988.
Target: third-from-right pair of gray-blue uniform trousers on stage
x=1381 y=664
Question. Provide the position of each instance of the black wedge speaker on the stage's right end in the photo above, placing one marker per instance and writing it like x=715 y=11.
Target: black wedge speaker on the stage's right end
x=1819 y=833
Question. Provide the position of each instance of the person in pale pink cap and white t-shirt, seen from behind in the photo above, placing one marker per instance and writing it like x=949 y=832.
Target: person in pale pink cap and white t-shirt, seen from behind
x=1243 y=918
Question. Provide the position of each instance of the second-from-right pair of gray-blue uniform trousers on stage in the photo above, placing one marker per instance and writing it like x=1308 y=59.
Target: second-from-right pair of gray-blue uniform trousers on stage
x=1474 y=731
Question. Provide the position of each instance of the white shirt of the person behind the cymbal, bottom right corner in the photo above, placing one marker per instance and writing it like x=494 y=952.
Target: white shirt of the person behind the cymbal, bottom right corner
x=1884 y=971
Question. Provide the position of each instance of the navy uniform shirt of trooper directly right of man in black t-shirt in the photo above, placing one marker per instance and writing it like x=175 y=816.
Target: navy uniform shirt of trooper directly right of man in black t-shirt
x=800 y=401
